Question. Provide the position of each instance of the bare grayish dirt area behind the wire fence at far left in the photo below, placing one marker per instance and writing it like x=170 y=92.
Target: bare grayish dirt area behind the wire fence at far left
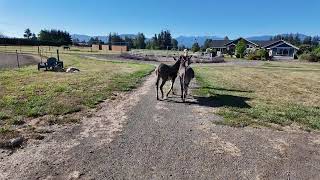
x=10 y=60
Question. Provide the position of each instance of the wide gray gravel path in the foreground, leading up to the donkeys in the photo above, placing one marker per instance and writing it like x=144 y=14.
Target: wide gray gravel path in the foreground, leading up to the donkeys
x=137 y=137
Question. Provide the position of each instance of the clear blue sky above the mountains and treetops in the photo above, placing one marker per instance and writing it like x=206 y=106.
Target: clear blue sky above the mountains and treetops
x=182 y=17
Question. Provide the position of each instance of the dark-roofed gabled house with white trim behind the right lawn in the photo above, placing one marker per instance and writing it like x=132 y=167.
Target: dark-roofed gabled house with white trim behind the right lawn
x=278 y=49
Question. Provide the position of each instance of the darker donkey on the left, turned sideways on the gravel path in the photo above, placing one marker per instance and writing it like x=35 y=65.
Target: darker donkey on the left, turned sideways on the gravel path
x=167 y=72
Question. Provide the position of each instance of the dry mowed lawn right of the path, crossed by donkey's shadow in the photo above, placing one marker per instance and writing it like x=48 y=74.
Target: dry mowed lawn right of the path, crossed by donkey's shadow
x=270 y=93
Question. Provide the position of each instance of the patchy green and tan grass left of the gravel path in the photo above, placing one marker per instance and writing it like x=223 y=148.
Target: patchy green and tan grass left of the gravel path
x=27 y=93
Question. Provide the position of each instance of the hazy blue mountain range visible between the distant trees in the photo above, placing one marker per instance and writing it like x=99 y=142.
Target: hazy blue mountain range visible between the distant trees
x=182 y=40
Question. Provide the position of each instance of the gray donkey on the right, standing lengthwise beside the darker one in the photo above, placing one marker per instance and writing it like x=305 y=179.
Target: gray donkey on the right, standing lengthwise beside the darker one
x=186 y=74
